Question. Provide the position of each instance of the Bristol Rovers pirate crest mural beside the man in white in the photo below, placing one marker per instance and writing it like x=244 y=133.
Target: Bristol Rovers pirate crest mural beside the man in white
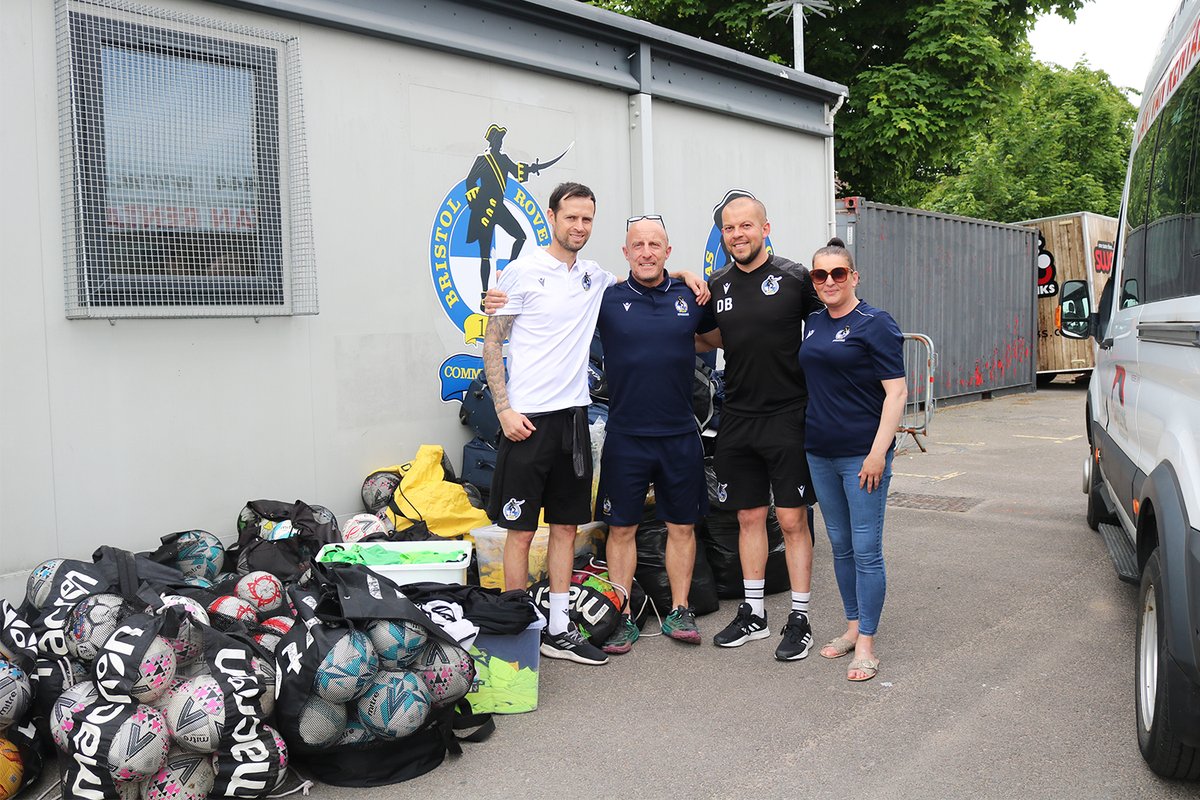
x=484 y=222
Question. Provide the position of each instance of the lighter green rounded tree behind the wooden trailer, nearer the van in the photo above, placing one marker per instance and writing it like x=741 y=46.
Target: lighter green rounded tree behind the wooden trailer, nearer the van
x=1058 y=145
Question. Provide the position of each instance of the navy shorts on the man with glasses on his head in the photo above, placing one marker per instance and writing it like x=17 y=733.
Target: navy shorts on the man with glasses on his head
x=674 y=465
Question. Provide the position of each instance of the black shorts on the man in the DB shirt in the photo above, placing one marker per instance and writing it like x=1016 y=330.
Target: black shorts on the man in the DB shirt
x=758 y=456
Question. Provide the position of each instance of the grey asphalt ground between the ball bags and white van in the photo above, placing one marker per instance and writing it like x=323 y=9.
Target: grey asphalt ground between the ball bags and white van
x=1006 y=655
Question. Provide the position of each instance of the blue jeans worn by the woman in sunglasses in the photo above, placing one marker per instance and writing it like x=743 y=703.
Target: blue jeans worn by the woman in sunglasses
x=854 y=519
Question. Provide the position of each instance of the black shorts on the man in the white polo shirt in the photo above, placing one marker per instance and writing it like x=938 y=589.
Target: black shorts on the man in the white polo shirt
x=539 y=473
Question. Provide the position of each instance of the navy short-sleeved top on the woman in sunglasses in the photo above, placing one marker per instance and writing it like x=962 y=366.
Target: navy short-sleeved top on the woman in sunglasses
x=845 y=360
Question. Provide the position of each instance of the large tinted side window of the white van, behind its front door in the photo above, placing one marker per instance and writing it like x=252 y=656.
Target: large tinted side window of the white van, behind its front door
x=1173 y=200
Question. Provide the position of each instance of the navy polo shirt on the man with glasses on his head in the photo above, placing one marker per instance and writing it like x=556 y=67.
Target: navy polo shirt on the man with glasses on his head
x=650 y=357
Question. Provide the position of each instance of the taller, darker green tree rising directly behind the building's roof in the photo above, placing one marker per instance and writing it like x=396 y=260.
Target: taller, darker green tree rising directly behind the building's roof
x=923 y=75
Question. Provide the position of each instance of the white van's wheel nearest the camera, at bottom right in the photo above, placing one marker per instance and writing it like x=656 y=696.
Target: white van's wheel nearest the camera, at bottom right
x=1162 y=750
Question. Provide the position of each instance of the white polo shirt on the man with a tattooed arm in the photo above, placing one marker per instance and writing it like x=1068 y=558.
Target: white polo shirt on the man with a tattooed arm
x=556 y=312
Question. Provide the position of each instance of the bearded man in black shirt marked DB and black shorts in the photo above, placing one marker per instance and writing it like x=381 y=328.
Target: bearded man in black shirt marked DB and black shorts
x=760 y=303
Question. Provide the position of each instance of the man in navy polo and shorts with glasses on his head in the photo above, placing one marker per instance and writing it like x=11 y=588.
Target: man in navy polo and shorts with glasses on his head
x=647 y=327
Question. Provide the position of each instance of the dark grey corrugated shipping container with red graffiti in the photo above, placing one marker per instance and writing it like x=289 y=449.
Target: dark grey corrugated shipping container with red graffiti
x=969 y=285
